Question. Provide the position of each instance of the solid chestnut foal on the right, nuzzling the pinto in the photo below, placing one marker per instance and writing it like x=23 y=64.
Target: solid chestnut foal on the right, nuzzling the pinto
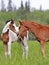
x=41 y=32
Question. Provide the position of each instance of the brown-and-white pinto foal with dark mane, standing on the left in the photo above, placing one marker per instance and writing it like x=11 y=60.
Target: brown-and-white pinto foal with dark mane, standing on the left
x=9 y=35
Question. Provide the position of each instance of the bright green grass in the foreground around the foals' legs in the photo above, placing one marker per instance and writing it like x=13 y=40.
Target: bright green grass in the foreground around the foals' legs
x=34 y=57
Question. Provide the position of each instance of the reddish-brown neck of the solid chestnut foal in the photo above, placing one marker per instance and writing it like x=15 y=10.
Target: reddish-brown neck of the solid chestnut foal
x=32 y=27
